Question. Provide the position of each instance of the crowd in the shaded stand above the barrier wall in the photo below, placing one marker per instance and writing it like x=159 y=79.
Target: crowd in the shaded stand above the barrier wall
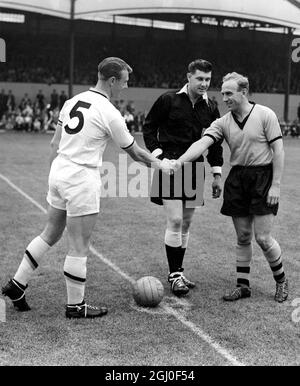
x=156 y=64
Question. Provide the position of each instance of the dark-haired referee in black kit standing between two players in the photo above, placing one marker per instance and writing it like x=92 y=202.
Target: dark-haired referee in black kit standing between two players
x=175 y=121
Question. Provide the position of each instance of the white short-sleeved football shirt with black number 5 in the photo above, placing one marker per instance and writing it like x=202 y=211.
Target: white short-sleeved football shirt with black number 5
x=88 y=121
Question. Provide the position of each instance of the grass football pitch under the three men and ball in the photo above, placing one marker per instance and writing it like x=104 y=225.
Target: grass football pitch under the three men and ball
x=198 y=330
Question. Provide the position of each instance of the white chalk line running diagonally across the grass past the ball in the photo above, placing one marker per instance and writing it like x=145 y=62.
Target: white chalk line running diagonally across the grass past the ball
x=196 y=330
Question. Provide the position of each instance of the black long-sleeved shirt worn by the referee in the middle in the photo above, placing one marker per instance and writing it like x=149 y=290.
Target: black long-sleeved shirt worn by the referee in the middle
x=173 y=124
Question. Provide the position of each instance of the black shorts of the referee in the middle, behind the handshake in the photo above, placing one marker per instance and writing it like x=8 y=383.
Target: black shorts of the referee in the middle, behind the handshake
x=187 y=184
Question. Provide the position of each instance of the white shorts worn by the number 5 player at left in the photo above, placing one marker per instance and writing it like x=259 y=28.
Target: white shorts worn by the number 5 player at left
x=74 y=188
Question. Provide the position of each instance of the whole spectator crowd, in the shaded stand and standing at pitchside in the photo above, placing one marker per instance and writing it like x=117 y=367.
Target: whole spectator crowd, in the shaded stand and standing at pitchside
x=156 y=65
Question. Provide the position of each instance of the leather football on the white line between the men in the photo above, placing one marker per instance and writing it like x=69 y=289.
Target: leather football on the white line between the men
x=148 y=291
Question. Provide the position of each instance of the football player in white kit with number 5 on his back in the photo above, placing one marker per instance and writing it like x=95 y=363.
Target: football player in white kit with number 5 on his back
x=86 y=123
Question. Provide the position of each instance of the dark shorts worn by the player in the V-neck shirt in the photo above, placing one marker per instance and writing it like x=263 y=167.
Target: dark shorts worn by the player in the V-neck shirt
x=245 y=191
